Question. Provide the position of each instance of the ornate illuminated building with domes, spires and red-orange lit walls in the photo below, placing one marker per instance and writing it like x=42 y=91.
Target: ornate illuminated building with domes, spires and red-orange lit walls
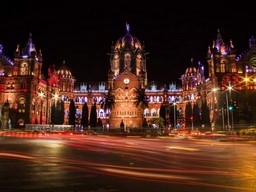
x=31 y=96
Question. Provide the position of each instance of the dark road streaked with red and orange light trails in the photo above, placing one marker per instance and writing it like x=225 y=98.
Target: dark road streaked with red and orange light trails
x=91 y=163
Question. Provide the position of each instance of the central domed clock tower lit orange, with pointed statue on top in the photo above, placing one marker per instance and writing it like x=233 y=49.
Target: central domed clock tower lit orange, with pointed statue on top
x=127 y=77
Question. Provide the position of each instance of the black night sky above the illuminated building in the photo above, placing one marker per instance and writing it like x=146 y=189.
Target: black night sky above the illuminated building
x=81 y=33
